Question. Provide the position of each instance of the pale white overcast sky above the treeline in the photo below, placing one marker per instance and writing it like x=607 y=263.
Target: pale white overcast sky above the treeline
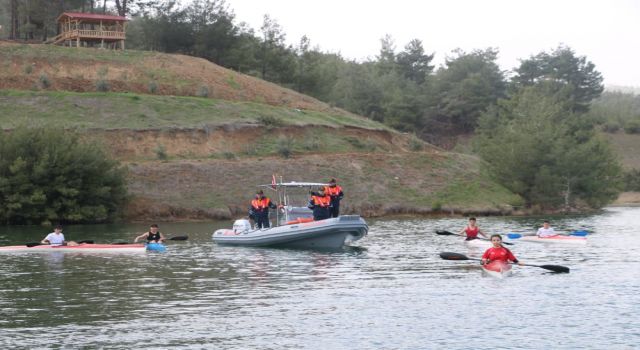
x=606 y=32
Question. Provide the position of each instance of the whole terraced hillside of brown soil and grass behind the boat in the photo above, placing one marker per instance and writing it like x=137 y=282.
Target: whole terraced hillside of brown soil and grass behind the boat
x=197 y=156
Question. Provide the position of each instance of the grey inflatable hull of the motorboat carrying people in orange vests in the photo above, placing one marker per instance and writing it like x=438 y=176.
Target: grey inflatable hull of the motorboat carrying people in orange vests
x=324 y=234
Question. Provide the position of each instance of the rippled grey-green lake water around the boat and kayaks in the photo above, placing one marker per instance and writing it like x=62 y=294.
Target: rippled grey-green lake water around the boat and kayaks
x=391 y=292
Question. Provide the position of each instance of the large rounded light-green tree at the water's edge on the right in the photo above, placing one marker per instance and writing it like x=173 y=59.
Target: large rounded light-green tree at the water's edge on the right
x=537 y=147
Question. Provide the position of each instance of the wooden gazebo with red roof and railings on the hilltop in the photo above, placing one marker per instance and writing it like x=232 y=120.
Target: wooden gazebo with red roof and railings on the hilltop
x=91 y=30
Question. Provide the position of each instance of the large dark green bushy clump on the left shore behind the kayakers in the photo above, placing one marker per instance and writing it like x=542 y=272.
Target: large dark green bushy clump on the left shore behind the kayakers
x=51 y=175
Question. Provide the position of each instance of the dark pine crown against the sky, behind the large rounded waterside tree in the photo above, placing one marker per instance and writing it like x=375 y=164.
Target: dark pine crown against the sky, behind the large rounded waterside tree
x=574 y=74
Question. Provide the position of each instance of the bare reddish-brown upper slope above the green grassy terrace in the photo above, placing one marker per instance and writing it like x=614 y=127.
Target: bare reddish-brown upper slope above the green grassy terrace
x=79 y=69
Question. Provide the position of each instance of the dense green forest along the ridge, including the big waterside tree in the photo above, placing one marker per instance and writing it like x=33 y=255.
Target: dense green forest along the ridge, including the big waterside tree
x=526 y=119
